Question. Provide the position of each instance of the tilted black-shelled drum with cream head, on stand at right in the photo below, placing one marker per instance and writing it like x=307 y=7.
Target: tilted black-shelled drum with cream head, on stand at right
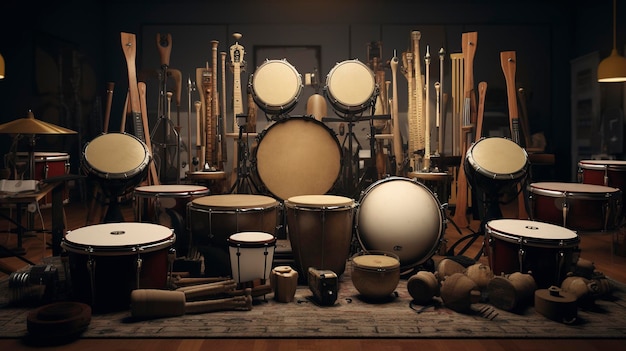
x=494 y=163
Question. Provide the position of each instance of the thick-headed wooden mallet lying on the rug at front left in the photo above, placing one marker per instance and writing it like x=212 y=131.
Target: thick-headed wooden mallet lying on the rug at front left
x=155 y=303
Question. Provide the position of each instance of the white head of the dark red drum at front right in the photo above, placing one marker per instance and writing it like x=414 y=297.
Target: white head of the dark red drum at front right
x=514 y=230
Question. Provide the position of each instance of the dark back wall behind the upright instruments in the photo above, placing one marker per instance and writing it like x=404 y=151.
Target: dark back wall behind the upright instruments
x=545 y=34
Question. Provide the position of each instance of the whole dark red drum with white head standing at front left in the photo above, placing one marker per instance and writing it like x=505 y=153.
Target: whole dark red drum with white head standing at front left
x=108 y=261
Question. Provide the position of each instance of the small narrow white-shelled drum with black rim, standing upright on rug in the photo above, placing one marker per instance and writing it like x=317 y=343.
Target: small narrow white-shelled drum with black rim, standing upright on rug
x=251 y=257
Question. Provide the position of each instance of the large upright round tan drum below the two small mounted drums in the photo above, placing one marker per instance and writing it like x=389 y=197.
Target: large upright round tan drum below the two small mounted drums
x=298 y=156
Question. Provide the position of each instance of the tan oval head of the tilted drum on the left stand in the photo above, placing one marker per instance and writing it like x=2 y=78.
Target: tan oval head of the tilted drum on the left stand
x=116 y=155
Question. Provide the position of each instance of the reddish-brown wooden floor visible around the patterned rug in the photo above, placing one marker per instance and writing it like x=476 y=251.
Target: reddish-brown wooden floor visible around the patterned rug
x=596 y=247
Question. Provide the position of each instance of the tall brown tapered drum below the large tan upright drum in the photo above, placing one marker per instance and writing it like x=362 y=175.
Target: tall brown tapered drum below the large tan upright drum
x=320 y=231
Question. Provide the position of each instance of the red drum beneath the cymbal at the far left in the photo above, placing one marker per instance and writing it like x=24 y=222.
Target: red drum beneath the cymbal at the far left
x=49 y=165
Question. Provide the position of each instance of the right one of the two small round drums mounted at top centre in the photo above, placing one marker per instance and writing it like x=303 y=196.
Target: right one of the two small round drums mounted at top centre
x=350 y=87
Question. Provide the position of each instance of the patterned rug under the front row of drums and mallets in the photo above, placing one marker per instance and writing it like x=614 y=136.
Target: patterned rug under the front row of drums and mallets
x=350 y=317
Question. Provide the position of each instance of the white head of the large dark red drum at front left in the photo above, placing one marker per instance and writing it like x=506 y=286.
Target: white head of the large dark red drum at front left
x=127 y=237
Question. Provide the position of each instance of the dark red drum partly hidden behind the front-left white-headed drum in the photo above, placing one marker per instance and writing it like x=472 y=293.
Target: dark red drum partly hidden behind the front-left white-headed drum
x=166 y=204
